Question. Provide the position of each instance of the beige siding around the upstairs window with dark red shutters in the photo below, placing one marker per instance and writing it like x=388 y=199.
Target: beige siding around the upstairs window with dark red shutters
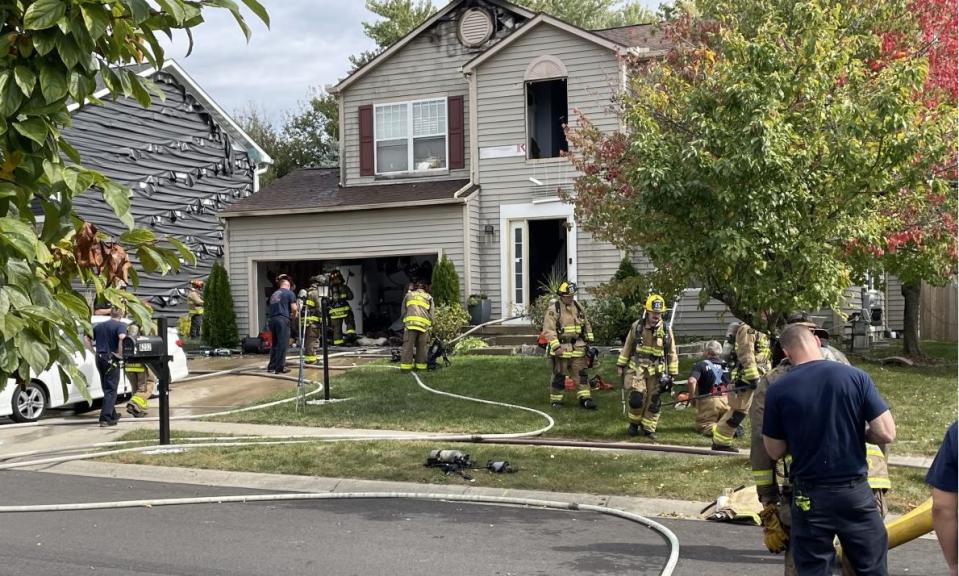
x=427 y=67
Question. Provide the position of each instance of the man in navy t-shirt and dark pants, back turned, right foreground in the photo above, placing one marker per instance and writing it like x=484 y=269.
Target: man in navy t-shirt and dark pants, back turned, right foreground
x=822 y=413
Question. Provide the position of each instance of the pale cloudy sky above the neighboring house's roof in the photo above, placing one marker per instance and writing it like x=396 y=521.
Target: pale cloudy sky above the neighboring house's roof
x=307 y=46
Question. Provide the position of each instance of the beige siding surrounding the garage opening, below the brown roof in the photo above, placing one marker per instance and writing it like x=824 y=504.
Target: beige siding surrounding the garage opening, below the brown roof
x=339 y=235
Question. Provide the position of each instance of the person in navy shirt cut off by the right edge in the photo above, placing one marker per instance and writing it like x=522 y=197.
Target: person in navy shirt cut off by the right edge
x=942 y=477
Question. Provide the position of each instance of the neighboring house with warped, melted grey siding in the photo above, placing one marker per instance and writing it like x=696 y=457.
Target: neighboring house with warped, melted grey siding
x=183 y=159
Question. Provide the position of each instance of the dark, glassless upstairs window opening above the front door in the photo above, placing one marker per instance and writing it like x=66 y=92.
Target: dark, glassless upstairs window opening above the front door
x=546 y=116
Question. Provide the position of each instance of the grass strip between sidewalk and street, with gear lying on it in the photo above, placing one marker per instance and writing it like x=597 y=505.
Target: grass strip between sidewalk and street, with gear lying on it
x=697 y=478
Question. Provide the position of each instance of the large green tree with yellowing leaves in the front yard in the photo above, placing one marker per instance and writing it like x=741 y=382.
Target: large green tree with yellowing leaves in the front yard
x=764 y=144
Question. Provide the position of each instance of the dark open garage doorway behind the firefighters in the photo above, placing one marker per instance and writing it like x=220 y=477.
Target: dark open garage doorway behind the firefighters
x=378 y=286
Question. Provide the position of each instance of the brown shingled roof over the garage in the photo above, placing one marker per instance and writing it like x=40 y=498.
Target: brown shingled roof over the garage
x=312 y=190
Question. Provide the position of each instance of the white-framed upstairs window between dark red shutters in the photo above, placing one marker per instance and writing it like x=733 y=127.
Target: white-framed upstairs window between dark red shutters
x=410 y=136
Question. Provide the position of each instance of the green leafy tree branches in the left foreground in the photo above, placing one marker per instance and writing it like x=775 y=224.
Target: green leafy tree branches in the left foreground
x=52 y=54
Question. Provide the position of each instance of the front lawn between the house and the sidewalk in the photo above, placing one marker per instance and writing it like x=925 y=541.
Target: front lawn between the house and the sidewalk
x=922 y=399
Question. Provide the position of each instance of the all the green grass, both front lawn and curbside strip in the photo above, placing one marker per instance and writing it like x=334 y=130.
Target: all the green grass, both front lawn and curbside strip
x=923 y=401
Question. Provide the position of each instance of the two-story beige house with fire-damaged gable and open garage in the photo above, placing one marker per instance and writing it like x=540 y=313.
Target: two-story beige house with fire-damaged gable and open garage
x=451 y=144
